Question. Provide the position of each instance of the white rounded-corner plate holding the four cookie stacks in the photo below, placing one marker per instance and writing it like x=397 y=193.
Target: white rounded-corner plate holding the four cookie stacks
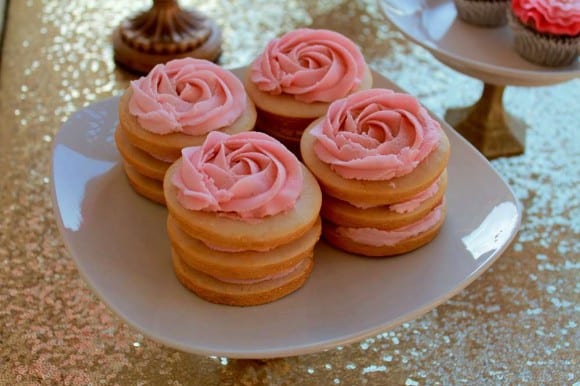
x=118 y=242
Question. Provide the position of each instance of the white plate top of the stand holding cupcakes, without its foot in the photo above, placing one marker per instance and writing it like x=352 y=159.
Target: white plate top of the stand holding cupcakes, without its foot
x=484 y=53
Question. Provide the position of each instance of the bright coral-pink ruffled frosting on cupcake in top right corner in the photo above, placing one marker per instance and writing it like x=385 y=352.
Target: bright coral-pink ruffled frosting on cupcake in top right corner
x=557 y=17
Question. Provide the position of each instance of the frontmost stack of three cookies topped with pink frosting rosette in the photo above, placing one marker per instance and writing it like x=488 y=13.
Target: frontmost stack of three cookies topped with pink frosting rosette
x=243 y=219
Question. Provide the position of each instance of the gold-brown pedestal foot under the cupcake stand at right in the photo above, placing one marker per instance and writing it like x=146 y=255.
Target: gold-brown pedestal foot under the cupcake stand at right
x=488 y=127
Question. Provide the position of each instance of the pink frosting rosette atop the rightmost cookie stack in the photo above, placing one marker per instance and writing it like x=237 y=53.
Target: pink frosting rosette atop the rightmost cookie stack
x=376 y=135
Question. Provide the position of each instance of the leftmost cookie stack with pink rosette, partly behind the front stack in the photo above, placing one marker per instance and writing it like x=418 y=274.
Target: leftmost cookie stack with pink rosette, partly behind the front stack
x=176 y=105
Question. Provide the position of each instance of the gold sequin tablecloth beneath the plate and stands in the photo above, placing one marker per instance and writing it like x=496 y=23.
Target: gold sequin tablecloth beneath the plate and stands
x=516 y=324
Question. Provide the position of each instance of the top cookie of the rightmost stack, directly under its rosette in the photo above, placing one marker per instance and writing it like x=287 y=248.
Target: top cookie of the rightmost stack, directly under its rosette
x=375 y=193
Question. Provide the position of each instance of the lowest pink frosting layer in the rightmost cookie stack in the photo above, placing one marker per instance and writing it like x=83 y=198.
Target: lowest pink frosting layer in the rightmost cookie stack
x=378 y=237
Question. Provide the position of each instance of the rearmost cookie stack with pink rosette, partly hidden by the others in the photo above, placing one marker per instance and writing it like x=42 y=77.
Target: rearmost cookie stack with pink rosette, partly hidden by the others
x=297 y=77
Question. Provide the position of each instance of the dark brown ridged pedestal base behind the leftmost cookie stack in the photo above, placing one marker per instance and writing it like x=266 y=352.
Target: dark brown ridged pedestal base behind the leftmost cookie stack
x=163 y=33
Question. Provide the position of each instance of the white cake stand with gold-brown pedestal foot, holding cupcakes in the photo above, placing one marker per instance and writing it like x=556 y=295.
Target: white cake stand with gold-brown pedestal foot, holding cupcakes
x=483 y=53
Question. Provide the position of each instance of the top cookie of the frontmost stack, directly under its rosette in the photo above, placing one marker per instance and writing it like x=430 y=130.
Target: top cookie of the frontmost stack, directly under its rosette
x=234 y=234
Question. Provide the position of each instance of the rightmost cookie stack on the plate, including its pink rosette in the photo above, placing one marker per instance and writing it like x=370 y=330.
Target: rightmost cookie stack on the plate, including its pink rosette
x=381 y=160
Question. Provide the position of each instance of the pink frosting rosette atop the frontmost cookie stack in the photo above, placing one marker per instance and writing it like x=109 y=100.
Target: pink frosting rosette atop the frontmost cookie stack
x=249 y=174
